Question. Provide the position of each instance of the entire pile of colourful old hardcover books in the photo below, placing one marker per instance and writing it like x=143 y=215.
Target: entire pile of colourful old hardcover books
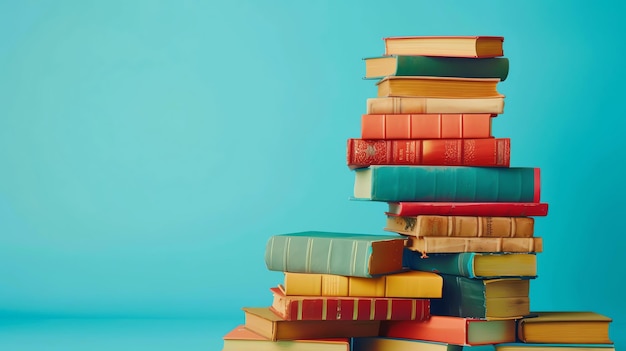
x=456 y=267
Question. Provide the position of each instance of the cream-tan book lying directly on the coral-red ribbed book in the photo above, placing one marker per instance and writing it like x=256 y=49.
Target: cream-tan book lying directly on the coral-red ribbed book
x=391 y=105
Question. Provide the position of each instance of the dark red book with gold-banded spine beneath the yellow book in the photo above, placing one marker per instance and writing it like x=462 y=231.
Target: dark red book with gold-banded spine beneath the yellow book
x=348 y=308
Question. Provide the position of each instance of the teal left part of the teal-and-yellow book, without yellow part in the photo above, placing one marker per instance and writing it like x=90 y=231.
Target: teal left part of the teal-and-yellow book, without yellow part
x=459 y=264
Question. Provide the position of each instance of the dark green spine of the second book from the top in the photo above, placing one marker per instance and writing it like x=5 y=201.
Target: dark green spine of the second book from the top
x=452 y=67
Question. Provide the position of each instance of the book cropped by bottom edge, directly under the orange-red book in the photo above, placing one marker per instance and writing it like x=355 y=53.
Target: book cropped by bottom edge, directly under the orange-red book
x=393 y=344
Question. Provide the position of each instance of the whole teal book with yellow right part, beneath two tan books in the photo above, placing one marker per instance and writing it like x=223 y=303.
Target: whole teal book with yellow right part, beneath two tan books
x=474 y=265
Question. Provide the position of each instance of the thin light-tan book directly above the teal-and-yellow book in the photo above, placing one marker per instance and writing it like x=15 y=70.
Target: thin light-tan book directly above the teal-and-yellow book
x=433 y=244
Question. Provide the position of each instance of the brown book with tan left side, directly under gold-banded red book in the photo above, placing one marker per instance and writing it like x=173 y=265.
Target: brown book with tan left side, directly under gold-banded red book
x=263 y=321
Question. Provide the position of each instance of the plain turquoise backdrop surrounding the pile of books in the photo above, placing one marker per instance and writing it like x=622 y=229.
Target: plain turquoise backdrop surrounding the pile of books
x=148 y=149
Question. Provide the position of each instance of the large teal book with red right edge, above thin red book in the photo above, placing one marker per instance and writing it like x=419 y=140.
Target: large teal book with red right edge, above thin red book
x=447 y=183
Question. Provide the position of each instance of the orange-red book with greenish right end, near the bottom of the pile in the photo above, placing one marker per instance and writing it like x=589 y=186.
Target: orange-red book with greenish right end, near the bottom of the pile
x=452 y=330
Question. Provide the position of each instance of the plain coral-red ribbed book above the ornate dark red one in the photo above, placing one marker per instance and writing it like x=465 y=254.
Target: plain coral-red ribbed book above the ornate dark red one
x=426 y=126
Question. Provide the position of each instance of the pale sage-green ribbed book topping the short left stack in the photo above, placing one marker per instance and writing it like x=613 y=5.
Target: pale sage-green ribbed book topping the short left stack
x=354 y=255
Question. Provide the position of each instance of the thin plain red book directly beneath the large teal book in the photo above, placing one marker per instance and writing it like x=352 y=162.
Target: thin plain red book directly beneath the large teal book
x=489 y=209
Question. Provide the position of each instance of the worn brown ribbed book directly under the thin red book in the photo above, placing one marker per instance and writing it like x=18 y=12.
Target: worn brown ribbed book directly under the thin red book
x=470 y=226
